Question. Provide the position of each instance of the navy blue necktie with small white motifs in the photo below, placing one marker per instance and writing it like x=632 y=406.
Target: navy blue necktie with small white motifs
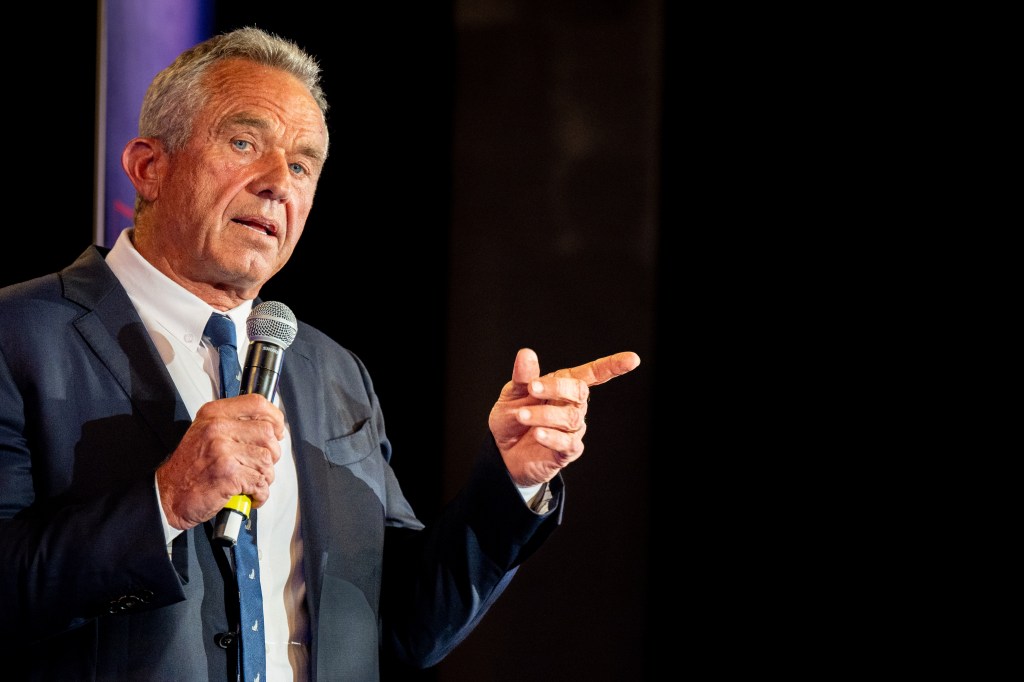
x=252 y=649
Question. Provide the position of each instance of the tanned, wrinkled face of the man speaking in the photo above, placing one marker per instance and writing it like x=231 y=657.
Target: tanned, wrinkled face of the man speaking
x=233 y=204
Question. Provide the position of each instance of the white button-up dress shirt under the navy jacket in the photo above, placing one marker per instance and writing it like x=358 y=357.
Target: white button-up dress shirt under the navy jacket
x=176 y=320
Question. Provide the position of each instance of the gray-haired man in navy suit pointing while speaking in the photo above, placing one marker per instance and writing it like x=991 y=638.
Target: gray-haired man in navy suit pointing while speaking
x=116 y=455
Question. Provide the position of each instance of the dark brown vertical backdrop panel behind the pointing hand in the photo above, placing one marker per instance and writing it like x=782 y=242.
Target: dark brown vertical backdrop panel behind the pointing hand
x=553 y=246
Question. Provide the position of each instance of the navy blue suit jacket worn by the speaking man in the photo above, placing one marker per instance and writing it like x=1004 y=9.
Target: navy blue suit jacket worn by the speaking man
x=88 y=591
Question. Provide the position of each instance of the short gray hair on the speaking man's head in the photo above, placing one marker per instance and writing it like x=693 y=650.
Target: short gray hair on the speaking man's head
x=179 y=93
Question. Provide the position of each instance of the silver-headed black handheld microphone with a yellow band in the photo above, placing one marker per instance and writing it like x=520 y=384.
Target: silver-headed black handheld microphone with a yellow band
x=272 y=328
